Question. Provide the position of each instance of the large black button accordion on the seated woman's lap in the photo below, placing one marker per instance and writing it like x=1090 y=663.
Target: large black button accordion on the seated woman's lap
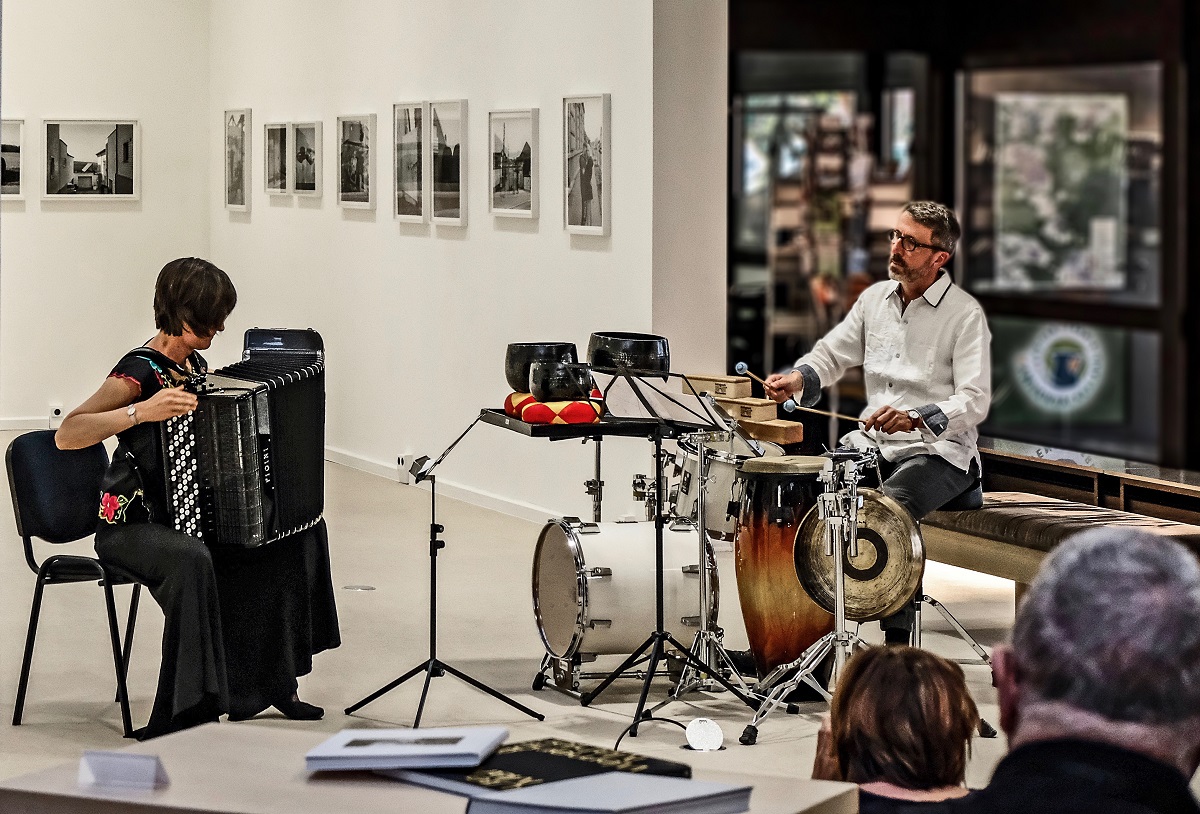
x=247 y=466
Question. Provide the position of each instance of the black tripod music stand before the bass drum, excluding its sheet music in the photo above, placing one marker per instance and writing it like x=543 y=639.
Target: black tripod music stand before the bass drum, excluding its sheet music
x=656 y=644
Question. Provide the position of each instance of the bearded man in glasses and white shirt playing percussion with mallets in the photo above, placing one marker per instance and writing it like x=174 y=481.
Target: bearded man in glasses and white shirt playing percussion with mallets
x=926 y=352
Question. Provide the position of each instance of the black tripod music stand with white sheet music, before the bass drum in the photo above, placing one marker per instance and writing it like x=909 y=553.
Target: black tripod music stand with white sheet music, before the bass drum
x=664 y=417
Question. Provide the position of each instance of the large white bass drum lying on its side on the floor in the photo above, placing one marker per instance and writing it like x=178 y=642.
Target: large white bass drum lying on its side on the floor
x=595 y=585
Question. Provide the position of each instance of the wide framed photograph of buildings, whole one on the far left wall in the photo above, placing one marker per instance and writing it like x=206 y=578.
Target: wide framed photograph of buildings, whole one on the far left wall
x=92 y=158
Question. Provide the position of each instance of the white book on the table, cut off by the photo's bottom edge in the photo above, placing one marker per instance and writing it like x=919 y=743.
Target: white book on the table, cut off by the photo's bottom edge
x=617 y=793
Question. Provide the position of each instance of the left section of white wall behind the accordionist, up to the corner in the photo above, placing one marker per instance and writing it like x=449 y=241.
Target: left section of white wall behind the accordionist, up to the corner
x=77 y=276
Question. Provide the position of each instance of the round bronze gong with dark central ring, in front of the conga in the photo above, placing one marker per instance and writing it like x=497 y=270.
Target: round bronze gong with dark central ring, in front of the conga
x=885 y=576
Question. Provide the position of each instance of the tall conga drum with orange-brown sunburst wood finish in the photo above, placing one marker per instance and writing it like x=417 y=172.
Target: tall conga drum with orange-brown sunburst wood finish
x=782 y=620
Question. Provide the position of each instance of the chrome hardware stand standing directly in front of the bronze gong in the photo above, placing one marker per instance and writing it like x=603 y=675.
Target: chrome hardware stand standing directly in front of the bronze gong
x=838 y=507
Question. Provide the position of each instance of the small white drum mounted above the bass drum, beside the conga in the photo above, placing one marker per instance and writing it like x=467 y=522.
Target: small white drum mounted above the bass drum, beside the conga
x=723 y=493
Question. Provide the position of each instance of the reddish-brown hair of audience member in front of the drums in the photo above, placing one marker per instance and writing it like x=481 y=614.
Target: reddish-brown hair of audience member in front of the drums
x=904 y=716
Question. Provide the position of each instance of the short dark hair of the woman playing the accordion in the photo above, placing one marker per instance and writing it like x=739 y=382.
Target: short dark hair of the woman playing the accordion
x=193 y=292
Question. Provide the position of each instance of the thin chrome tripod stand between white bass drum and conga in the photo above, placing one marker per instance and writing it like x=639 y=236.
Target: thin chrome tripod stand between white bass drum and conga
x=707 y=645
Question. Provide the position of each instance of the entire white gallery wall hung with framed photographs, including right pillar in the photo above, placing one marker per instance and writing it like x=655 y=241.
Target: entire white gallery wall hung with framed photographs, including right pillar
x=416 y=318
